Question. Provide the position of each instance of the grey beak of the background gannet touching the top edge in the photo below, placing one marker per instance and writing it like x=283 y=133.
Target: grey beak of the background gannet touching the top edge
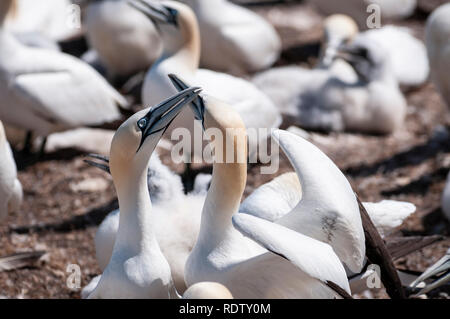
x=155 y=11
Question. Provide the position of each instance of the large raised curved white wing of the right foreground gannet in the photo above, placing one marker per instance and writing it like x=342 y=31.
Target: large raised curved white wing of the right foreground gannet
x=328 y=210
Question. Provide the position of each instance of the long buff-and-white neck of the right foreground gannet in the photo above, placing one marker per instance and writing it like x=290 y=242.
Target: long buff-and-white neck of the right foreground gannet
x=229 y=177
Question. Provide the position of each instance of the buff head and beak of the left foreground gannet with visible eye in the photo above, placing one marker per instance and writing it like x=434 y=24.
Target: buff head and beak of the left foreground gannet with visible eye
x=136 y=138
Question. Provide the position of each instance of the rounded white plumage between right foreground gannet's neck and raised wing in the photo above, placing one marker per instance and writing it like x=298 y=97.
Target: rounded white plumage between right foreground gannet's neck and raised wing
x=273 y=200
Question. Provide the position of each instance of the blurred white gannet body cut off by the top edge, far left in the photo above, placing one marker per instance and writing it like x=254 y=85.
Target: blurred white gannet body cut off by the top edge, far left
x=51 y=18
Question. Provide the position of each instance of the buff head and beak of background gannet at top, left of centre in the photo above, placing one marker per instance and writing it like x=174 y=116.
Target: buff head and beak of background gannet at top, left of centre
x=176 y=21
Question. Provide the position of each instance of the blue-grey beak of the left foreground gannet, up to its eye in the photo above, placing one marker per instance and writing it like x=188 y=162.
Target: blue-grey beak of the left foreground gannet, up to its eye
x=158 y=119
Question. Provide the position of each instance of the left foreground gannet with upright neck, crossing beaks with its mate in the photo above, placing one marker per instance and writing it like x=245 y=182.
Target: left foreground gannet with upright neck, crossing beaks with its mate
x=137 y=268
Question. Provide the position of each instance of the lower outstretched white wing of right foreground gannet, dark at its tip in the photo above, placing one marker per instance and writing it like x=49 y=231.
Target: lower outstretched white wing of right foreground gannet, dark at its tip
x=316 y=259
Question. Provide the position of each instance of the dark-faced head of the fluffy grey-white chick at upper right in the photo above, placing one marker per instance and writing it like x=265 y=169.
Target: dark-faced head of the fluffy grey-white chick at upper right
x=369 y=60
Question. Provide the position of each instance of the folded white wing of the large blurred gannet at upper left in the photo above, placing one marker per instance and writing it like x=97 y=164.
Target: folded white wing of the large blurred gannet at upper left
x=64 y=90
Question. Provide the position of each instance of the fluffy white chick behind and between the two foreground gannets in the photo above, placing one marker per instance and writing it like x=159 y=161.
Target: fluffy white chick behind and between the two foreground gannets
x=178 y=217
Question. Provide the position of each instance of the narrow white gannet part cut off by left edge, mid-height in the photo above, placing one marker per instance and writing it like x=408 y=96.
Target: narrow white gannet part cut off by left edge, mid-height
x=10 y=187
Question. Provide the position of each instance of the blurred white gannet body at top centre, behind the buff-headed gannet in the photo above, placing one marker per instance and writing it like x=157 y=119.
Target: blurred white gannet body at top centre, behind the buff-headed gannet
x=246 y=42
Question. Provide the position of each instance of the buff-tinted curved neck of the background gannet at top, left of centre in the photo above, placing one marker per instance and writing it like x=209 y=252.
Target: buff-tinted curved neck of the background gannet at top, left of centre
x=187 y=50
